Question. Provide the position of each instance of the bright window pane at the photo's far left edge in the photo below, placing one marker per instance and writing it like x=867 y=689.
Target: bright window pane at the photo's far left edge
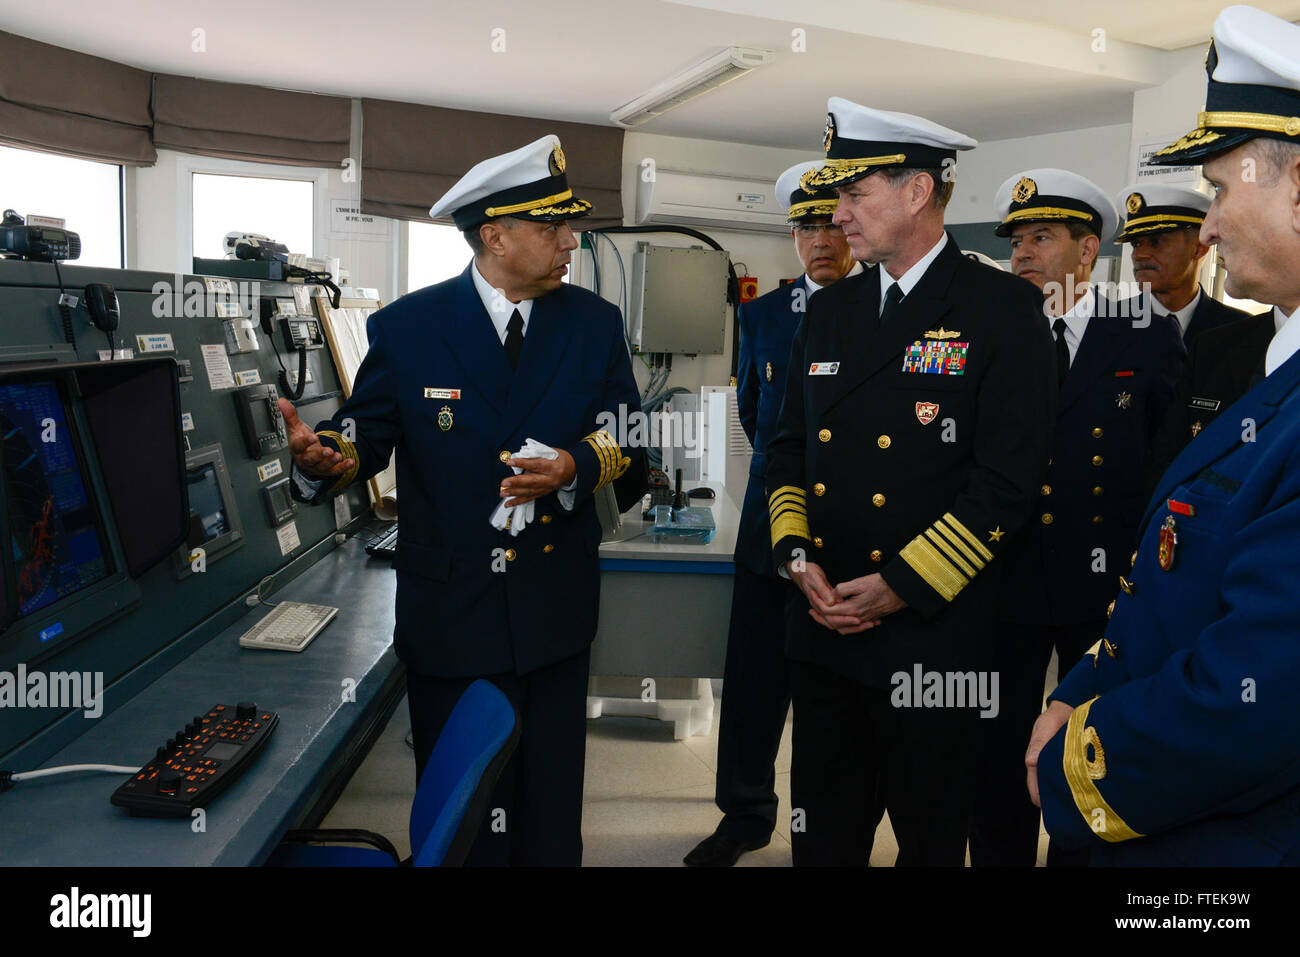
x=86 y=194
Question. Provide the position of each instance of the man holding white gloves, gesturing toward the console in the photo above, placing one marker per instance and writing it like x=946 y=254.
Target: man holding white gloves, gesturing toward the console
x=458 y=378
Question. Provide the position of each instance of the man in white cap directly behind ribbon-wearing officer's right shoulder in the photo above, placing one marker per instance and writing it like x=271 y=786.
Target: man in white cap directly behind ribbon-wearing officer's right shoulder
x=1117 y=375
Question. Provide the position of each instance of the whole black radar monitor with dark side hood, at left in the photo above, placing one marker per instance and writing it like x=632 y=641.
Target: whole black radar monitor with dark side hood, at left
x=92 y=496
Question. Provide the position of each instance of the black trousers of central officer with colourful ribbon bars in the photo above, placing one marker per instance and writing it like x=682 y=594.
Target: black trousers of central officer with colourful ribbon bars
x=850 y=741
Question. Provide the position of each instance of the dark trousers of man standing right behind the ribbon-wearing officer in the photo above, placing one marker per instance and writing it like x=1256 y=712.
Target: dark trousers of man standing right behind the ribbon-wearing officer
x=1006 y=824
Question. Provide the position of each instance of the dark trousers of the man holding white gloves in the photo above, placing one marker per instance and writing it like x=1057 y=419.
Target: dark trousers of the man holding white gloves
x=540 y=793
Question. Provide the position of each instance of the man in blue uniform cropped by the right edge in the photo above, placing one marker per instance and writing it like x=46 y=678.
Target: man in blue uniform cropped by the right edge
x=1175 y=742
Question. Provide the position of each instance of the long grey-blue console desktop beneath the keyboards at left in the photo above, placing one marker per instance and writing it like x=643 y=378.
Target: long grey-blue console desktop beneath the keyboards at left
x=67 y=820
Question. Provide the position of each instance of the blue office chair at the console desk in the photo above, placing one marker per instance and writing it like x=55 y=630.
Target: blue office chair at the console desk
x=450 y=802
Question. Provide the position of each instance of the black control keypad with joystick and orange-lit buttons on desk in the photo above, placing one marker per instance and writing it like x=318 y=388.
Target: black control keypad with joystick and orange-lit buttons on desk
x=201 y=763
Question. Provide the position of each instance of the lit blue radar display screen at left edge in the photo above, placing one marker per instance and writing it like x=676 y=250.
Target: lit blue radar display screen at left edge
x=57 y=539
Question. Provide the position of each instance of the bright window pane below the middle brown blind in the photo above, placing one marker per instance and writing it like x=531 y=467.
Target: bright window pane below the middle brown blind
x=276 y=207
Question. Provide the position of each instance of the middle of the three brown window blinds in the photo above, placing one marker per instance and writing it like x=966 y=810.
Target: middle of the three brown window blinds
x=250 y=123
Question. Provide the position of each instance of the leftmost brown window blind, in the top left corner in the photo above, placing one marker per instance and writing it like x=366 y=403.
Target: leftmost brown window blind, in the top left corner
x=72 y=103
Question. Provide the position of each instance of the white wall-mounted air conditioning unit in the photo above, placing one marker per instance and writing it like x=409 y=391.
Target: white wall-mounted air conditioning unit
x=710 y=201
